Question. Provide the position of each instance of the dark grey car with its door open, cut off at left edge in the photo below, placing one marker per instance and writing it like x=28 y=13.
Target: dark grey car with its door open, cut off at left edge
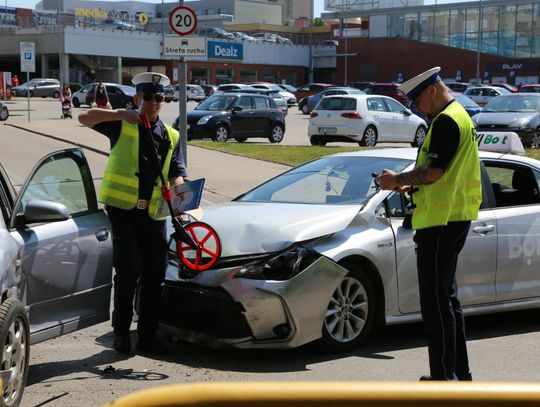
x=55 y=261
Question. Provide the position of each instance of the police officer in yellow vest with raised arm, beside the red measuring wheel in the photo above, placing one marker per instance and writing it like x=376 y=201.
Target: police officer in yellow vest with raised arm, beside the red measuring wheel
x=131 y=192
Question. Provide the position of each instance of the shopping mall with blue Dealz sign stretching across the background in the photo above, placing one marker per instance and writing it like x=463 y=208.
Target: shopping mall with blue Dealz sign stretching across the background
x=81 y=40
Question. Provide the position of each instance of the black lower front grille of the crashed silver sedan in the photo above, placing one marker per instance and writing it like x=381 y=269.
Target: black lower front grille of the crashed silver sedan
x=209 y=311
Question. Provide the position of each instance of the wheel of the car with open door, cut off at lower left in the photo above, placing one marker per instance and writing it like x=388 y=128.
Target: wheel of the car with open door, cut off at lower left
x=15 y=342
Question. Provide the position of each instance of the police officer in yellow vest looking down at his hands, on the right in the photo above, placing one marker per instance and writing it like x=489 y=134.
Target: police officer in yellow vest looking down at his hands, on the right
x=446 y=181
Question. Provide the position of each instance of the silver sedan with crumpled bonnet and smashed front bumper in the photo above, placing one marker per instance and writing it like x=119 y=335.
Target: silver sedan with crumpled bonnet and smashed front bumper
x=319 y=253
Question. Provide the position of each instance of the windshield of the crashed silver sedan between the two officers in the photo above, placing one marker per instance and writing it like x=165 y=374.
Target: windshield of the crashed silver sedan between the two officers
x=332 y=180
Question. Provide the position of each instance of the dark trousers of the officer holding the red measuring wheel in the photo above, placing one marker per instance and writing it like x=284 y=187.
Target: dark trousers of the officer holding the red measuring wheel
x=139 y=250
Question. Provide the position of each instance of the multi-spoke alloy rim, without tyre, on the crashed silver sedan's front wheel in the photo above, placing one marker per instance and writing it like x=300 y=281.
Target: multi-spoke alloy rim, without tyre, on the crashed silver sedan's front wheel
x=348 y=310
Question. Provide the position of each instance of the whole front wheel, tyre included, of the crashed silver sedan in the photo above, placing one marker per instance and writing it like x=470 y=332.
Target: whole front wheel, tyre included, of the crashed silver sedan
x=350 y=314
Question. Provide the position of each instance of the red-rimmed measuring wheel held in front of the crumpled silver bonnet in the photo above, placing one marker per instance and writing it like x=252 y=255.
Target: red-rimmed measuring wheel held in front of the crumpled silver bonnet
x=208 y=252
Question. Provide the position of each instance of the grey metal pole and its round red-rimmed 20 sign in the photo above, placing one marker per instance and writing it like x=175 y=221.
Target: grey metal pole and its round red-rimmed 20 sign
x=182 y=21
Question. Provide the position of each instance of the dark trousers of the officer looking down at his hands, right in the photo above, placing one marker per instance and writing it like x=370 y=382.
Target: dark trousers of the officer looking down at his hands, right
x=437 y=255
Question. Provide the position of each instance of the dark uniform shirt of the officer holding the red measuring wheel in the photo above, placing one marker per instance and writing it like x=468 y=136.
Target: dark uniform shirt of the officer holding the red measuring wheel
x=148 y=171
